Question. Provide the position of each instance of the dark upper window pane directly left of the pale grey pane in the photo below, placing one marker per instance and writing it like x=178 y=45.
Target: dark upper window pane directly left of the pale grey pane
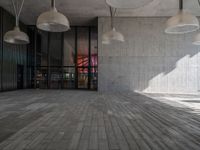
x=55 y=48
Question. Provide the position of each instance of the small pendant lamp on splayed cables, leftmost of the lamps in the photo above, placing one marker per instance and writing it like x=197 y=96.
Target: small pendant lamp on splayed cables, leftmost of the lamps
x=16 y=36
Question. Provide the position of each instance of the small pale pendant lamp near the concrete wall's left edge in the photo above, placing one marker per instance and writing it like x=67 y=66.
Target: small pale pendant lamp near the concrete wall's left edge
x=112 y=35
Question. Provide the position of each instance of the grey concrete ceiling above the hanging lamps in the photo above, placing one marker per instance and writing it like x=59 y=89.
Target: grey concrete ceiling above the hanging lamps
x=84 y=12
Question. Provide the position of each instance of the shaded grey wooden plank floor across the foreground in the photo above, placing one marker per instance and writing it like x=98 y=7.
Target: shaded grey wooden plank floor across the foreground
x=81 y=120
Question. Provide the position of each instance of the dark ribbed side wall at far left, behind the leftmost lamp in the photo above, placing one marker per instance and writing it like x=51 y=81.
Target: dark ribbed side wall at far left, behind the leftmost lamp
x=13 y=58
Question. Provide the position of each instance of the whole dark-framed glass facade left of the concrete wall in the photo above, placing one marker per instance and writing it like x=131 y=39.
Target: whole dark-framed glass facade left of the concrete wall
x=64 y=60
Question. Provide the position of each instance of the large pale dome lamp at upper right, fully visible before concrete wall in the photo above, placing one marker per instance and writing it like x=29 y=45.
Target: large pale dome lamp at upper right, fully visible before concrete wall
x=182 y=22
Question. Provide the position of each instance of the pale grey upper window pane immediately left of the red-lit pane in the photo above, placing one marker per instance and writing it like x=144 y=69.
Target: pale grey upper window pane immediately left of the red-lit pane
x=69 y=48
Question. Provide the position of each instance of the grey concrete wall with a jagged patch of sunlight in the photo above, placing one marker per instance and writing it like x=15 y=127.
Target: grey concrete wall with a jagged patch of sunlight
x=149 y=60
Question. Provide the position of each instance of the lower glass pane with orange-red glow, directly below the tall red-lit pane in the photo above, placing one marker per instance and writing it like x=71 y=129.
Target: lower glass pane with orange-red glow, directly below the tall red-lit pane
x=83 y=78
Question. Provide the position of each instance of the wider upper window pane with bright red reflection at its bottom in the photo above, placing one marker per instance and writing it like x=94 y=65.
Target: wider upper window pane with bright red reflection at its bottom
x=83 y=47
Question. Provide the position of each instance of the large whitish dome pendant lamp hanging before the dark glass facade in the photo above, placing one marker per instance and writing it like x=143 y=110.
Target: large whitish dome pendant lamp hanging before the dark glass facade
x=52 y=20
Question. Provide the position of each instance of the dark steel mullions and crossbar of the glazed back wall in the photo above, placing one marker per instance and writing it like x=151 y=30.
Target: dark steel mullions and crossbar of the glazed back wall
x=62 y=57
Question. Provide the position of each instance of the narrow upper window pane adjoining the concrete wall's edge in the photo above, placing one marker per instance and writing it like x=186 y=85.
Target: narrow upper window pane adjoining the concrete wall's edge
x=94 y=46
